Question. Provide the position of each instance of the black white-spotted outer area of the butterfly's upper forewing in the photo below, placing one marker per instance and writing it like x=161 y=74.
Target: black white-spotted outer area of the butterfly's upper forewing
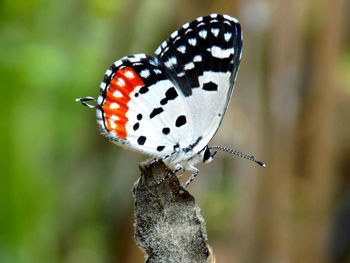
x=215 y=40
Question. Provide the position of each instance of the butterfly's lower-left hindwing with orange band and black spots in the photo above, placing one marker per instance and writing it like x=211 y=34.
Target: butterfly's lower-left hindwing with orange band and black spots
x=139 y=107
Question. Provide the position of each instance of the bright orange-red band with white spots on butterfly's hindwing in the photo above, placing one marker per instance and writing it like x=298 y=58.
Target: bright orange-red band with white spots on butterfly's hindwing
x=124 y=82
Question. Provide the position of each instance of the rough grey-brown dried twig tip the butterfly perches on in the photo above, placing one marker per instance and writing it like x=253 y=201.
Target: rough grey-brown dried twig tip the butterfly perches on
x=168 y=224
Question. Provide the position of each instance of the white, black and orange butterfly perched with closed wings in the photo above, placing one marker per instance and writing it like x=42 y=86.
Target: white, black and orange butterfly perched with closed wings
x=170 y=106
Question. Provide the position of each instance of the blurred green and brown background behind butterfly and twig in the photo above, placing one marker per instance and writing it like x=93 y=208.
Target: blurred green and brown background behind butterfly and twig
x=65 y=191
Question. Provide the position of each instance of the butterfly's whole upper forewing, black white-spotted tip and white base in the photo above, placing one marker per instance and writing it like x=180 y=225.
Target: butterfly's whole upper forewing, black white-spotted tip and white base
x=202 y=59
